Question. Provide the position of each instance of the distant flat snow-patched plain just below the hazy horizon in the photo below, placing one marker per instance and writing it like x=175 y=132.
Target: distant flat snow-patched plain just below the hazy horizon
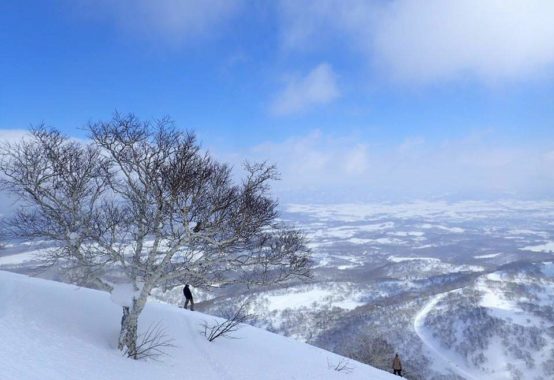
x=450 y=231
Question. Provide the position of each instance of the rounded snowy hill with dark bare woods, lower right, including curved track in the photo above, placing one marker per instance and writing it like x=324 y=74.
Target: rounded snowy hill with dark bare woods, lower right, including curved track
x=516 y=306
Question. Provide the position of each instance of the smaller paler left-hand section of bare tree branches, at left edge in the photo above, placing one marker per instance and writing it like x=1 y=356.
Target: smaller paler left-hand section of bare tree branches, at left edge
x=58 y=184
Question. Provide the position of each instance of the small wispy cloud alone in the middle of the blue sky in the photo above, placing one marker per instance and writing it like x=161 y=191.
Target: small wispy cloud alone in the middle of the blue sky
x=318 y=87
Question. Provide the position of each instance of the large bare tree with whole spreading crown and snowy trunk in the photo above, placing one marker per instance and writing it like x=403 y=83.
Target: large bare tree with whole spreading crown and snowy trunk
x=154 y=207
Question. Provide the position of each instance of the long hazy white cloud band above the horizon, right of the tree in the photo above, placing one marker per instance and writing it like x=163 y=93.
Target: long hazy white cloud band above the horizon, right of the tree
x=352 y=168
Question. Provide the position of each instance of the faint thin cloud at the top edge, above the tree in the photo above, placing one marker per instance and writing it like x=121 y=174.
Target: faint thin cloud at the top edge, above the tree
x=166 y=22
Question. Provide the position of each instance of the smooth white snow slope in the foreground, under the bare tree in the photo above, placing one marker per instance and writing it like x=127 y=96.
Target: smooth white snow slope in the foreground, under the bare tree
x=50 y=330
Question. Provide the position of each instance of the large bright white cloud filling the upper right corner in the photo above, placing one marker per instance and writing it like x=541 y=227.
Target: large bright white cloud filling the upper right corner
x=429 y=40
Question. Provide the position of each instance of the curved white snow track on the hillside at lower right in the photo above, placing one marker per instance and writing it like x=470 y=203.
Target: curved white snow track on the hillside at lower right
x=428 y=340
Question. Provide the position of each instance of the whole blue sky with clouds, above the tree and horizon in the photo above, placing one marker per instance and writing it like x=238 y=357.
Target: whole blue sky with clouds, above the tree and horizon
x=399 y=98
